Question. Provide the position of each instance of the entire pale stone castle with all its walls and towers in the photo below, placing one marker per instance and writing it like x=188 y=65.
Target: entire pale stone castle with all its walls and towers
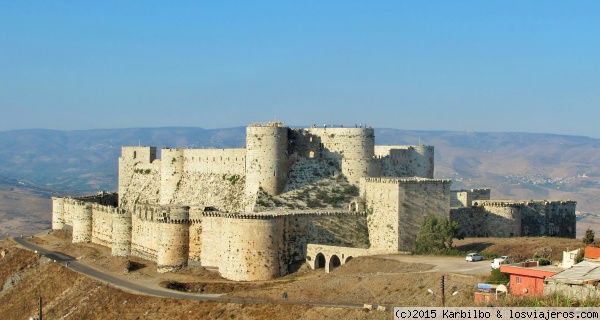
x=253 y=212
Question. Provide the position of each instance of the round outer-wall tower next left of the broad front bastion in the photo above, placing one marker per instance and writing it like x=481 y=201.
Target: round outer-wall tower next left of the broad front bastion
x=174 y=238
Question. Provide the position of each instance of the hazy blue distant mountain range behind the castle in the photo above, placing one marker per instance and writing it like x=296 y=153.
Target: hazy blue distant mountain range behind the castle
x=515 y=165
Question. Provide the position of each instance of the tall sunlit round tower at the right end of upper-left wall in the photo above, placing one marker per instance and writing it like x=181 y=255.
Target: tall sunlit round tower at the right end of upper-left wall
x=266 y=158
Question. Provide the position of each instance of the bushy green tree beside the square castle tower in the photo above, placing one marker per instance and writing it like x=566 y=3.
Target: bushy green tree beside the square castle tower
x=436 y=234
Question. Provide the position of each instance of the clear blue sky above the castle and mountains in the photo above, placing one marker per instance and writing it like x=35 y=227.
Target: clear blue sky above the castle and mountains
x=527 y=66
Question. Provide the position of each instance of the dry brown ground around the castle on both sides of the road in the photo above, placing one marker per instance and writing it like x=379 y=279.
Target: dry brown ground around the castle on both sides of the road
x=378 y=280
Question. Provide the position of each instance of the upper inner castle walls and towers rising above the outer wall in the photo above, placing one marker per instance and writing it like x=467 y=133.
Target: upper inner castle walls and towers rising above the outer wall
x=219 y=177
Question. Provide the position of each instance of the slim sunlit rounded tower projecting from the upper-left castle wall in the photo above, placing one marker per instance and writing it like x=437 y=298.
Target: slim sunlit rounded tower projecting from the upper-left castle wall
x=171 y=173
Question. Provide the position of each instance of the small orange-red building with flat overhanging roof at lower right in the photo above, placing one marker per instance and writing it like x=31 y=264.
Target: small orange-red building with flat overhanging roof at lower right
x=527 y=278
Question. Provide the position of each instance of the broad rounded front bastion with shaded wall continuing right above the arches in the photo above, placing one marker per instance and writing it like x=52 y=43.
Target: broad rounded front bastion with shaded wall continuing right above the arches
x=260 y=246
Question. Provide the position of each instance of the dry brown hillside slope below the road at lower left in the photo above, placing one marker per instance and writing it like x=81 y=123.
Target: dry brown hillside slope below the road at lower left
x=69 y=295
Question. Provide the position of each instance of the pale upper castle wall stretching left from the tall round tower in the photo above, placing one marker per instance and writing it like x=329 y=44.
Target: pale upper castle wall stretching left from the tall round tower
x=188 y=177
